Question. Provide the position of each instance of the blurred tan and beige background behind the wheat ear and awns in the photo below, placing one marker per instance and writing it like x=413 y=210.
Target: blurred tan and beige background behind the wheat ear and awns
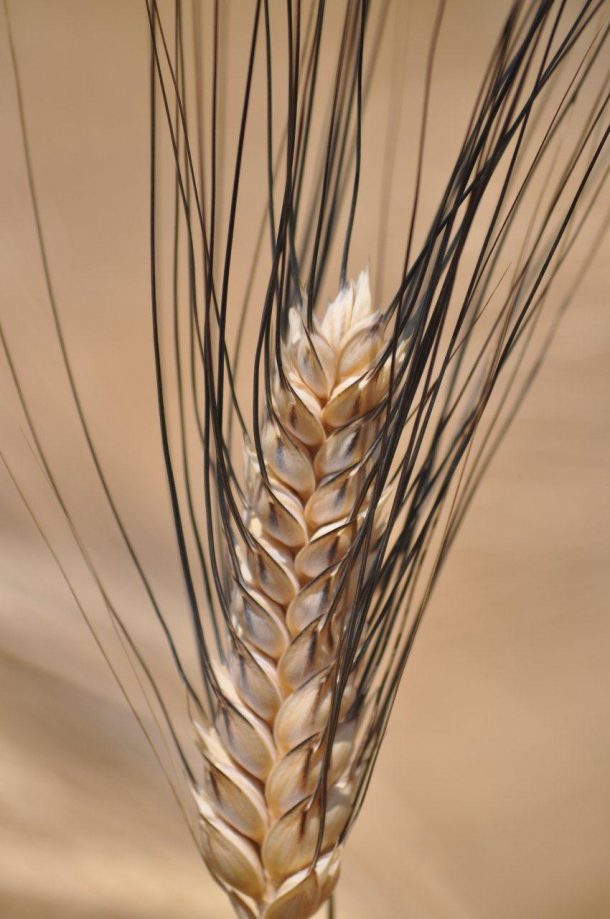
x=492 y=793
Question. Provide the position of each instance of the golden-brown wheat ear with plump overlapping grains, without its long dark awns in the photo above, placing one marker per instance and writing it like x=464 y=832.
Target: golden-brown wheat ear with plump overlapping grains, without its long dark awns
x=263 y=754
